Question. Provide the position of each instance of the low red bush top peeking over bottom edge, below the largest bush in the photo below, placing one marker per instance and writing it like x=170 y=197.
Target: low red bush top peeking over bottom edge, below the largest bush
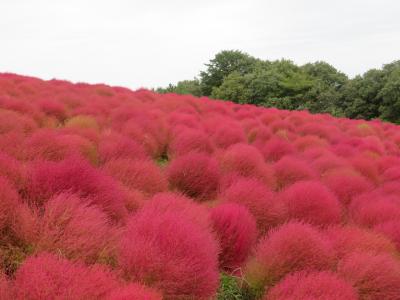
x=134 y=291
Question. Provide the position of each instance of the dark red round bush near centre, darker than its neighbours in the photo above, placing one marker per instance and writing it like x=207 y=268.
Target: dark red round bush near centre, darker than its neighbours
x=194 y=174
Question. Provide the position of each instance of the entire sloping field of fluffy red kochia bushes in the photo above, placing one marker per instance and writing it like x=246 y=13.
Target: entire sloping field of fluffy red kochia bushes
x=107 y=193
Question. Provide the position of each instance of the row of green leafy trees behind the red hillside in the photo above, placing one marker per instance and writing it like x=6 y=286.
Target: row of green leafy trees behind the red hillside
x=317 y=87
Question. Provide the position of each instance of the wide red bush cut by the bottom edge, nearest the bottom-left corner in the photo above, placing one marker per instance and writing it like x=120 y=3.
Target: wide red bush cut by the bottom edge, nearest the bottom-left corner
x=49 y=277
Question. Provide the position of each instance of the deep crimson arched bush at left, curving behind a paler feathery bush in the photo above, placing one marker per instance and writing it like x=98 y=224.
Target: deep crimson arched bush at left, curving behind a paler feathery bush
x=76 y=176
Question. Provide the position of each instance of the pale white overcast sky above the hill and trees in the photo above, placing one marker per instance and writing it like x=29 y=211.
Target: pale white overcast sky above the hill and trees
x=153 y=42
